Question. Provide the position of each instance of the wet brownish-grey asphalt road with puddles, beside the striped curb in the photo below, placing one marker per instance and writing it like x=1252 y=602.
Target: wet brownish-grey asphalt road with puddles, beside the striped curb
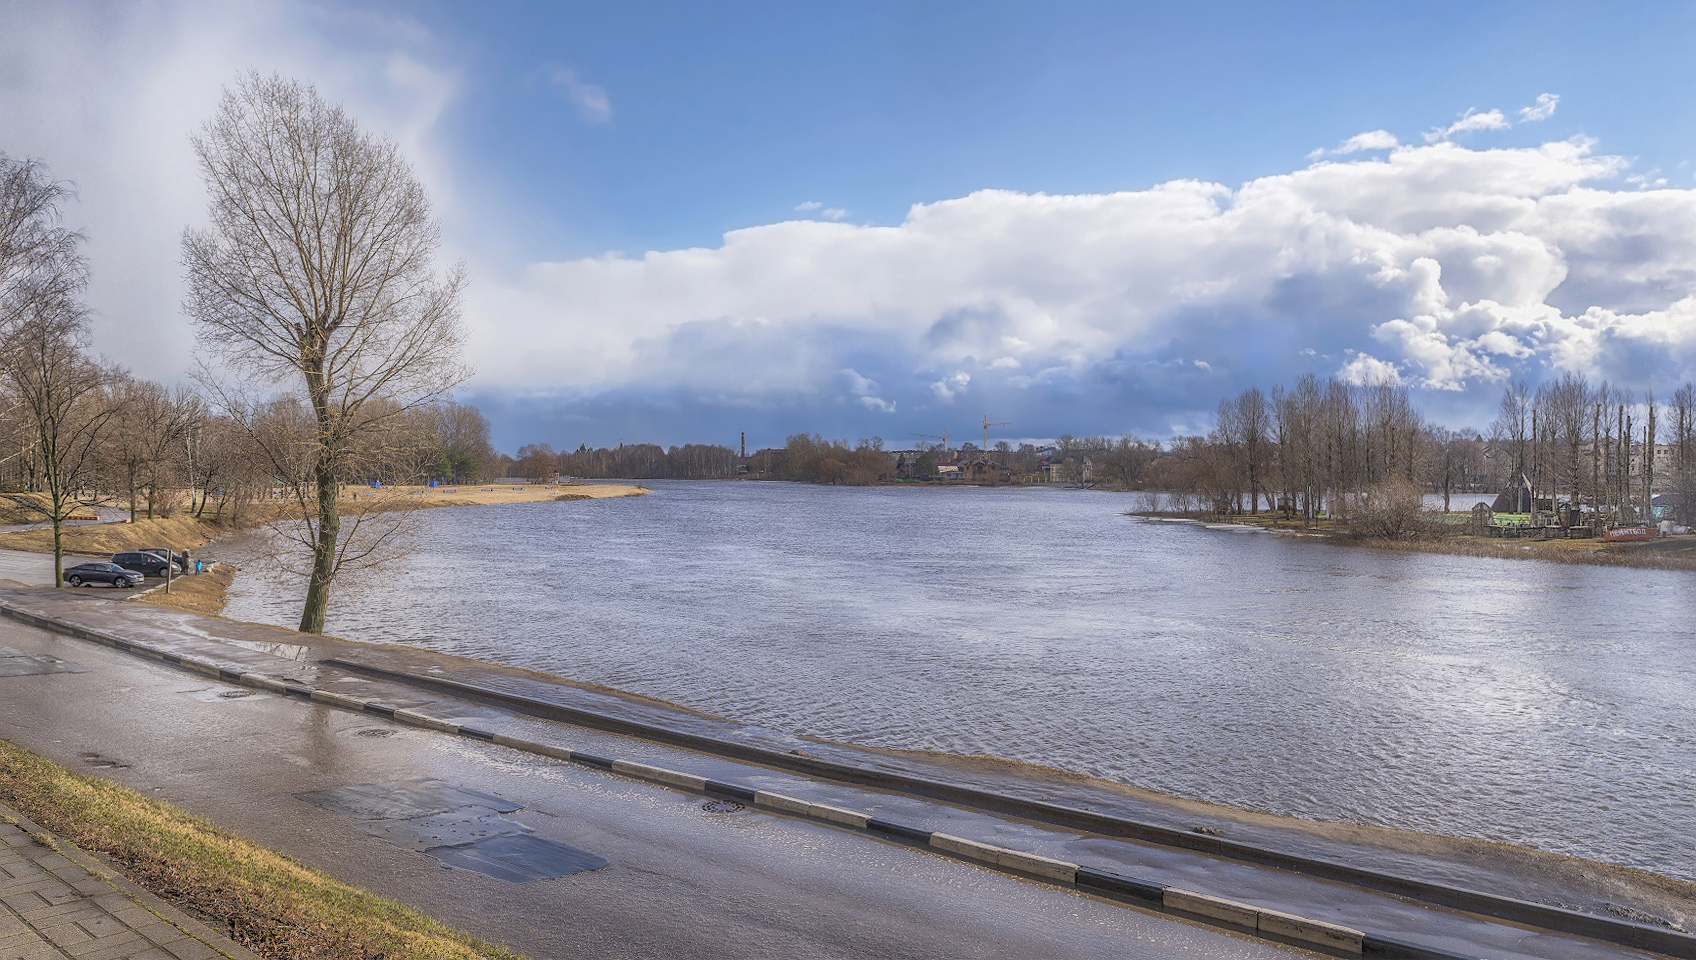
x=681 y=881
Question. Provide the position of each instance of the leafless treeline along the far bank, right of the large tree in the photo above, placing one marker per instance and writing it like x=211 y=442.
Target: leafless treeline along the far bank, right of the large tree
x=1308 y=449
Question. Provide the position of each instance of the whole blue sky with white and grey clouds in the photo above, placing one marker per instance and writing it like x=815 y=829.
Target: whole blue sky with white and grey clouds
x=686 y=221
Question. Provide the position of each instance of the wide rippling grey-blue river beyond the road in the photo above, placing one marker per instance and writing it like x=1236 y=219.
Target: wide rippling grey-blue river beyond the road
x=1520 y=701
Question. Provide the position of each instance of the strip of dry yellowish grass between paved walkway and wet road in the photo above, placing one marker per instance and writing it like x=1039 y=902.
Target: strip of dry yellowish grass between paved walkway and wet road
x=272 y=905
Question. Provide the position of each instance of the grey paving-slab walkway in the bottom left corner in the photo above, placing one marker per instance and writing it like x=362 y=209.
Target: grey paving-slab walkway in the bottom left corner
x=57 y=901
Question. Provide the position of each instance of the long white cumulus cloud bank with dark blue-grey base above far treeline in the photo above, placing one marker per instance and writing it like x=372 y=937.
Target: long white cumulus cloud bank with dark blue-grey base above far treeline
x=1446 y=267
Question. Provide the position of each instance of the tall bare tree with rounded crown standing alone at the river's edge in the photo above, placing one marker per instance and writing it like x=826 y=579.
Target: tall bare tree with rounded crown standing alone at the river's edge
x=318 y=276
